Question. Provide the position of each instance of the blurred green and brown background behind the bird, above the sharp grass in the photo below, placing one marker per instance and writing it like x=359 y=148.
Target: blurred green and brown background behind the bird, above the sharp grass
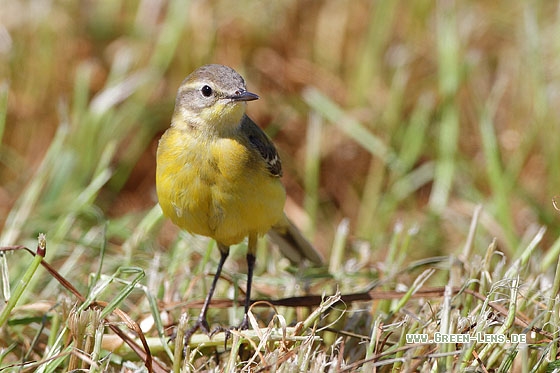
x=398 y=115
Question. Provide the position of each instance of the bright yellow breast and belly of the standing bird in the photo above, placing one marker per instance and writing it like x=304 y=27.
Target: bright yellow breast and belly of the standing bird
x=216 y=188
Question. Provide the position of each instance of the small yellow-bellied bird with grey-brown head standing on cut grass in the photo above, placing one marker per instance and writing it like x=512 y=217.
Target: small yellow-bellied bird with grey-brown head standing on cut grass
x=218 y=174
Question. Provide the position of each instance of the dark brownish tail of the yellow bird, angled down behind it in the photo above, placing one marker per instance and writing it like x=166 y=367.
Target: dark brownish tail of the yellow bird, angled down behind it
x=292 y=244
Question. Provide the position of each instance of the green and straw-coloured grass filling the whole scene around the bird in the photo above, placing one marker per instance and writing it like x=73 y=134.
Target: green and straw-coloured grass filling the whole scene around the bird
x=419 y=138
